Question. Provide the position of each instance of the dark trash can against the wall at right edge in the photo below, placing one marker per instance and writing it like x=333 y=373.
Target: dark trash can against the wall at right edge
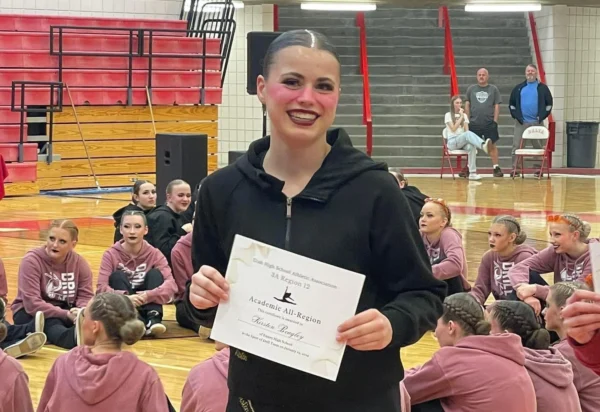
x=581 y=144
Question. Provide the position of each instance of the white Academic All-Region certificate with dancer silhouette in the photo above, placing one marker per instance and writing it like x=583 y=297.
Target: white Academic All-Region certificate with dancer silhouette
x=286 y=308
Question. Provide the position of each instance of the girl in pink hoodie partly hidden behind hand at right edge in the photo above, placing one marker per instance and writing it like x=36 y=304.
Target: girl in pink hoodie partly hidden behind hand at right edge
x=586 y=381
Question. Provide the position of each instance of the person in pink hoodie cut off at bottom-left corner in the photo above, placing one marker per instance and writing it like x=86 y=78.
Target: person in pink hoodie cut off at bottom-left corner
x=14 y=383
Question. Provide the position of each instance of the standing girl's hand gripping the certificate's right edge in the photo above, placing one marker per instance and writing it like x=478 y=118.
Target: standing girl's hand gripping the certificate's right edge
x=369 y=330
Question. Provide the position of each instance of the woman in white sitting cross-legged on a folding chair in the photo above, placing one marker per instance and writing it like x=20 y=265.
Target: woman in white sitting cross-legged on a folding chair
x=460 y=138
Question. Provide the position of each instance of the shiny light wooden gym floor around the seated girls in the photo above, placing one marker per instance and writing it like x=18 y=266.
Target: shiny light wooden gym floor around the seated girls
x=23 y=223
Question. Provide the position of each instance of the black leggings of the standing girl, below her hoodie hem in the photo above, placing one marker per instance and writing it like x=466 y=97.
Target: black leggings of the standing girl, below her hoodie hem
x=381 y=402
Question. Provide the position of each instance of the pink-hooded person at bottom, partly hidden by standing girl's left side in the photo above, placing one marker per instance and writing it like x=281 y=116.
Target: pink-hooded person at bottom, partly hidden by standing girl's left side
x=205 y=388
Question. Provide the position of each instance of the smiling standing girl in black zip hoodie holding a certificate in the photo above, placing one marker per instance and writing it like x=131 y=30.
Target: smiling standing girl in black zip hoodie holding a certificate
x=307 y=190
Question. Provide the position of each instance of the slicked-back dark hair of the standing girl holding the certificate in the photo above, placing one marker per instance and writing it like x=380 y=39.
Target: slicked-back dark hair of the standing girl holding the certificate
x=305 y=38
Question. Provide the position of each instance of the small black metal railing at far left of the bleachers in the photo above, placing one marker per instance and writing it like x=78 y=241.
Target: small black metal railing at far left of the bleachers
x=54 y=106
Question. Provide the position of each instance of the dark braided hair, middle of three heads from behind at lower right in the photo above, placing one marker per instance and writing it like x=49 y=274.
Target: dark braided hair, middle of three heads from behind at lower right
x=519 y=318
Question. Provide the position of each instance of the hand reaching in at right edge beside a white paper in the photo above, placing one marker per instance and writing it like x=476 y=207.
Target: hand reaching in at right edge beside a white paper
x=582 y=316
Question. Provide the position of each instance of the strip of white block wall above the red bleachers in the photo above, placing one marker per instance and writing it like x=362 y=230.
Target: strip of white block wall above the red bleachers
x=146 y=9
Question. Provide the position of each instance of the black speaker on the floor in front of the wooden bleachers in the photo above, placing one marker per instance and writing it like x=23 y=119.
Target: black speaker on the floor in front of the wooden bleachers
x=180 y=156
